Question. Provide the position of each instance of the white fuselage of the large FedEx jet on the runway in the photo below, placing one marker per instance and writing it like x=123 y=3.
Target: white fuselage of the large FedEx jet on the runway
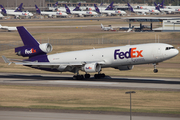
x=119 y=56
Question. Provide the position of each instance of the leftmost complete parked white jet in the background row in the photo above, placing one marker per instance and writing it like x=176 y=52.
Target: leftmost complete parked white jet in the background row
x=16 y=13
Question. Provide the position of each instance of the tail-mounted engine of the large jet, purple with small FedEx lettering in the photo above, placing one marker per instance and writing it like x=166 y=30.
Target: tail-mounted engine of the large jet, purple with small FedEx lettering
x=27 y=51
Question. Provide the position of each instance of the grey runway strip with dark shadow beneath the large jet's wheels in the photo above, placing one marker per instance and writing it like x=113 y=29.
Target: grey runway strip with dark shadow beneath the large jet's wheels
x=111 y=82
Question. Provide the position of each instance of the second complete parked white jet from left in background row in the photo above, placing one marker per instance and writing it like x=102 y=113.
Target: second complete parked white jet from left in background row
x=50 y=14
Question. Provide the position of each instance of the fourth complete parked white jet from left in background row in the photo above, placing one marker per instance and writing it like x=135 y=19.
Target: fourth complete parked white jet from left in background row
x=109 y=12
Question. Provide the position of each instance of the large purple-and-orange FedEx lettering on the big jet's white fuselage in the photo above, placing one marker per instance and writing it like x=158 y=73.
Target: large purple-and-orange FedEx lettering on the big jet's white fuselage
x=132 y=53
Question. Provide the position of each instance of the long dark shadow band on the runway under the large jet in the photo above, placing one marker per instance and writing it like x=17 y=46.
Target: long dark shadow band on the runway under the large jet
x=106 y=79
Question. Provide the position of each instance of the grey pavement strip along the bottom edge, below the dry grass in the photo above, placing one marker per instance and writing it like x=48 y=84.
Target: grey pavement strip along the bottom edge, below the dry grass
x=19 y=115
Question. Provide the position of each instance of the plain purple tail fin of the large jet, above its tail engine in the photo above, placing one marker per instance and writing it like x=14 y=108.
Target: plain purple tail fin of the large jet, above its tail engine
x=26 y=37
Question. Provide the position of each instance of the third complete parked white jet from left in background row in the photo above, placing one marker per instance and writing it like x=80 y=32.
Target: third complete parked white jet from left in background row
x=80 y=13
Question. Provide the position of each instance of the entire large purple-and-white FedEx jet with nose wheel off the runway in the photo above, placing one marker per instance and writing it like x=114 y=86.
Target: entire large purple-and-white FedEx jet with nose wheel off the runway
x=89 y=61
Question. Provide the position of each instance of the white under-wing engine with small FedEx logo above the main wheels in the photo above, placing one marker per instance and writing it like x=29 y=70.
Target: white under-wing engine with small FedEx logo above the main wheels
x=90 y=68
